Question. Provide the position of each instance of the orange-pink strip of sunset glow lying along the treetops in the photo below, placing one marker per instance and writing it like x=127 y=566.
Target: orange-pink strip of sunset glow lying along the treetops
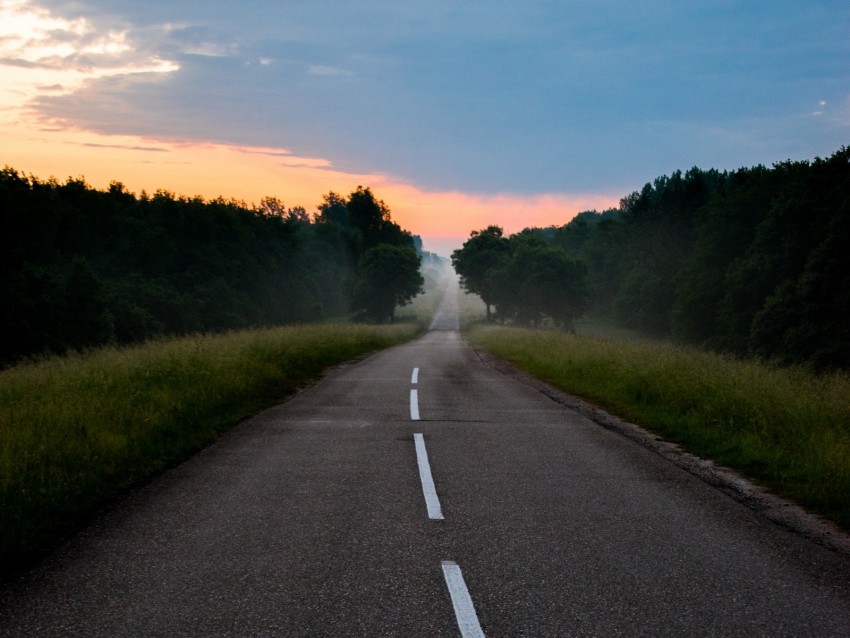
x=444 y=219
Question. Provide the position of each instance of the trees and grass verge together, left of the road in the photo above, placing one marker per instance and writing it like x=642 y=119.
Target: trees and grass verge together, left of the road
x=162 y=307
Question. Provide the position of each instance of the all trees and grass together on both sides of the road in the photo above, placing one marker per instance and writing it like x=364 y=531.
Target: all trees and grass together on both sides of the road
x=752 y=263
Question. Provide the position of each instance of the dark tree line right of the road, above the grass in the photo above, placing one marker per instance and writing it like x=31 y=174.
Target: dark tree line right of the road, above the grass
x=753 y=262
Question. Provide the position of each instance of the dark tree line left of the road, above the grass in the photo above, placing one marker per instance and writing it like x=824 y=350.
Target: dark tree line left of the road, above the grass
x=83 y=267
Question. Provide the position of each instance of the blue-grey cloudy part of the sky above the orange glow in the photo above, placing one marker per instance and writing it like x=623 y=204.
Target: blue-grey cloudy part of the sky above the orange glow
x=526 y=98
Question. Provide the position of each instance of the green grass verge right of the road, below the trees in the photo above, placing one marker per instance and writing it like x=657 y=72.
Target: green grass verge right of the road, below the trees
x=785 y=427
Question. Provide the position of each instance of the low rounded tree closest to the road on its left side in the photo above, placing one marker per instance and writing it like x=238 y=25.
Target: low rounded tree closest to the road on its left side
x=387 y=276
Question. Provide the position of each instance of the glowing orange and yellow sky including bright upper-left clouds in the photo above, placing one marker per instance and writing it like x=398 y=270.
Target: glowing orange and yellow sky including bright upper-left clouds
x=34 y=145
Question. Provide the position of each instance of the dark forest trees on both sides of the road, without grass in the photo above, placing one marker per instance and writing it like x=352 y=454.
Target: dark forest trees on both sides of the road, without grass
x=752 y=262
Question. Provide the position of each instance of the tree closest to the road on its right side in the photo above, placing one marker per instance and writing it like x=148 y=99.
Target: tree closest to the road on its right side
x=481 y=256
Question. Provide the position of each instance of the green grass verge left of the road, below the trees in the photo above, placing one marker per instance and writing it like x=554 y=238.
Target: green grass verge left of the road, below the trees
x=78 y=430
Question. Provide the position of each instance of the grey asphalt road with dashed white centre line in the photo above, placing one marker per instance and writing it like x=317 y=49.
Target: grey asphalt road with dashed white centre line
x=312 y=519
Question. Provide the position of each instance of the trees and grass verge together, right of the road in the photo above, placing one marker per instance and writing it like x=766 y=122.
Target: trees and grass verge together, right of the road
x=746 y=271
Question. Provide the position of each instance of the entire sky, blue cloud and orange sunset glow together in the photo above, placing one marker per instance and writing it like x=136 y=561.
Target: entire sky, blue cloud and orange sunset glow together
x=458 y=115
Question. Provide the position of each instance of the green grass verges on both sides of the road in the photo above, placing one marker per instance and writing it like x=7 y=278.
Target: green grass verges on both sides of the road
x=76 y=431
